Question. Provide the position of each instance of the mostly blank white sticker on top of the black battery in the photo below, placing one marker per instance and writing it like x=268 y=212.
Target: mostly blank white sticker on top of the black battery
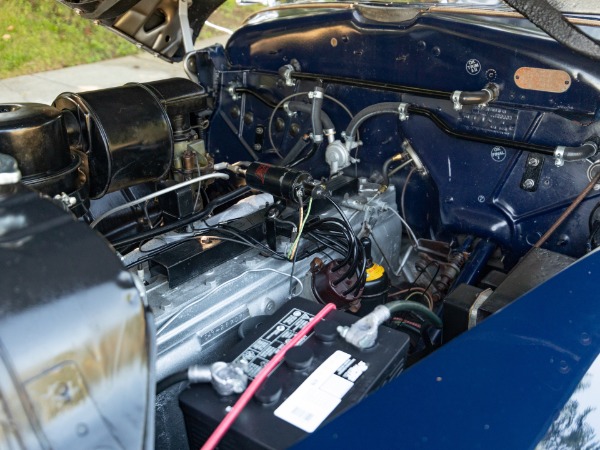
x=321 y=392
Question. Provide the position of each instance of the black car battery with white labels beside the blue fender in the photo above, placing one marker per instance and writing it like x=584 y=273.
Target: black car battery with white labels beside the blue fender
x=317 y=380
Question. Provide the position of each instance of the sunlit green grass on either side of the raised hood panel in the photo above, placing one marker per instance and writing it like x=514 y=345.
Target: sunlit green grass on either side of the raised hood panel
x=40 y=35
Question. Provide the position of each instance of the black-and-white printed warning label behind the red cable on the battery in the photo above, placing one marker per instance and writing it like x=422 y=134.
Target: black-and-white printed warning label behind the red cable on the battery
x=262 y=350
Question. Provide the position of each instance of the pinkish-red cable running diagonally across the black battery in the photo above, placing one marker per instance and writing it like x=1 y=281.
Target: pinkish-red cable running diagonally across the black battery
x=235 y=411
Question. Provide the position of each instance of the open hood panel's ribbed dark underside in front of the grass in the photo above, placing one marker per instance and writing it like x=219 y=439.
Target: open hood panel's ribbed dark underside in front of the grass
x=154 y=25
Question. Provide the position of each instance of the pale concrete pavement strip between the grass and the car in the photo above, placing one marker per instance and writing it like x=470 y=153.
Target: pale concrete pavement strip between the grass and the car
x=44 y=87
